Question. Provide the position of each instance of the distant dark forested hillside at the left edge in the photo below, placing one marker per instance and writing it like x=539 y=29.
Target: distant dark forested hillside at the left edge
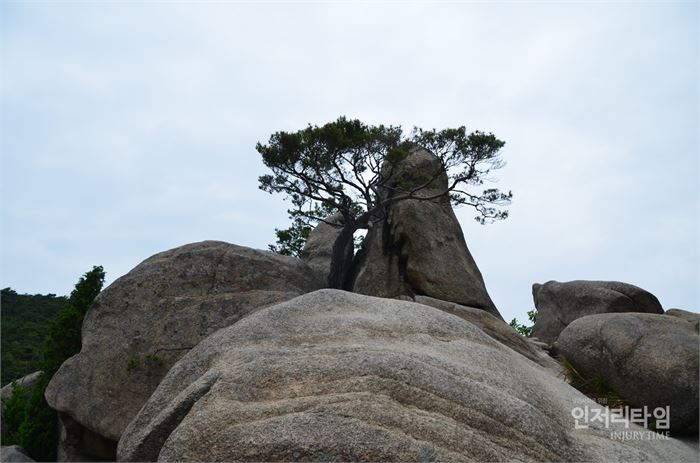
x=25 y=323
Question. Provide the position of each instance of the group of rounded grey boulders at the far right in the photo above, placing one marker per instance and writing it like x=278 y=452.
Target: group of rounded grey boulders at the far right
x=619 y=334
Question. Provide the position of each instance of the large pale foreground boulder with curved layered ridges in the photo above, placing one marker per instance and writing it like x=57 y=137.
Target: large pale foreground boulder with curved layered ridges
x=337 y=376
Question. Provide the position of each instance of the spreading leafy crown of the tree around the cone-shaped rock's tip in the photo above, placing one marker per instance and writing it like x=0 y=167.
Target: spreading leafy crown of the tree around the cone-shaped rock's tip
x=339 y=166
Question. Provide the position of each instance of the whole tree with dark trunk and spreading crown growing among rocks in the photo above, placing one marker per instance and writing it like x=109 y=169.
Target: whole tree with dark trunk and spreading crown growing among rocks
x=352 y=168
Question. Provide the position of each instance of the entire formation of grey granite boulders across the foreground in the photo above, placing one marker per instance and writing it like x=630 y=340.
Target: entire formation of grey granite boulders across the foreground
x=218 y=352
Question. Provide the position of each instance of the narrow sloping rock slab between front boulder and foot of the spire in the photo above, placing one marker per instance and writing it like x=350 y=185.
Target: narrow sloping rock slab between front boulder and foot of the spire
x=497 y=329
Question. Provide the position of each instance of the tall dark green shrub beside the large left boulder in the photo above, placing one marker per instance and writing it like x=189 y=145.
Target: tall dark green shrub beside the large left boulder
x=37 y=430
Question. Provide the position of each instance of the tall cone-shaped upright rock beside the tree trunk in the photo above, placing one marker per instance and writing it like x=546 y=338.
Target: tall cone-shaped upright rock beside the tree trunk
x=418 y=248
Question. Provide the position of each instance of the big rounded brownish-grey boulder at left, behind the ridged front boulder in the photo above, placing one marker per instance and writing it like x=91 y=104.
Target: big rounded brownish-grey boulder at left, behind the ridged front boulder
x=146 y=320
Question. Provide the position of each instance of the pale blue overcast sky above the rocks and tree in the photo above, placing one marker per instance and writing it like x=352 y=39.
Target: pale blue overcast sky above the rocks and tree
x=129 y=128
